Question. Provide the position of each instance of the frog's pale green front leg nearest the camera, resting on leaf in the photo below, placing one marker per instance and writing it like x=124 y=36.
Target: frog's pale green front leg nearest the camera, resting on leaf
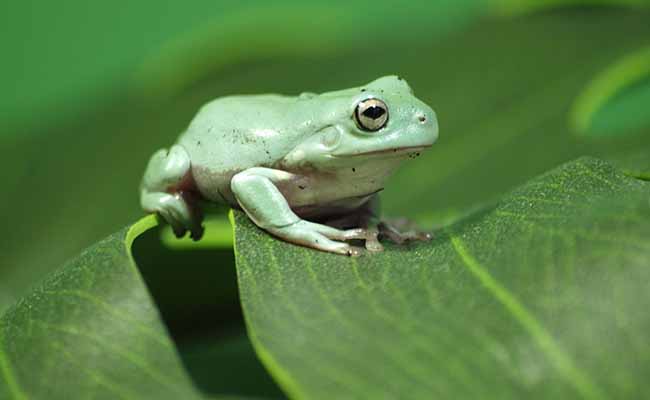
x=256 y=192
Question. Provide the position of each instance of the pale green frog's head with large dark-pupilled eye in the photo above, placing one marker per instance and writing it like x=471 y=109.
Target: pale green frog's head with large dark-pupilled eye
x=378 y=121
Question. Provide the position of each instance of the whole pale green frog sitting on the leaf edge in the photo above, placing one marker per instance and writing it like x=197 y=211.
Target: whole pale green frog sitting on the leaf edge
x=307 y=169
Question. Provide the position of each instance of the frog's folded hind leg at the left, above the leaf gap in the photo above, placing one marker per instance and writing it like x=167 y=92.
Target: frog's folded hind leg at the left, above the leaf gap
x=168 y=189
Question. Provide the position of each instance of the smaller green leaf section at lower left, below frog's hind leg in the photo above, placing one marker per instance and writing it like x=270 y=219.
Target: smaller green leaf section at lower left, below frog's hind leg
x=91 y=330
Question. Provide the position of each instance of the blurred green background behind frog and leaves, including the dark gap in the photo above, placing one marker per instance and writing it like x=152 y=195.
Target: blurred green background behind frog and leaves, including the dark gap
x=91 y=90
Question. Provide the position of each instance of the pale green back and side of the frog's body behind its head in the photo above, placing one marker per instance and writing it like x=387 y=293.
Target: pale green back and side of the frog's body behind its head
x=234 y=133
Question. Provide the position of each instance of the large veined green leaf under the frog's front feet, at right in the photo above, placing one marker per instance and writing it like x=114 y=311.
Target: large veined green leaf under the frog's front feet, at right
x=543 y=294
